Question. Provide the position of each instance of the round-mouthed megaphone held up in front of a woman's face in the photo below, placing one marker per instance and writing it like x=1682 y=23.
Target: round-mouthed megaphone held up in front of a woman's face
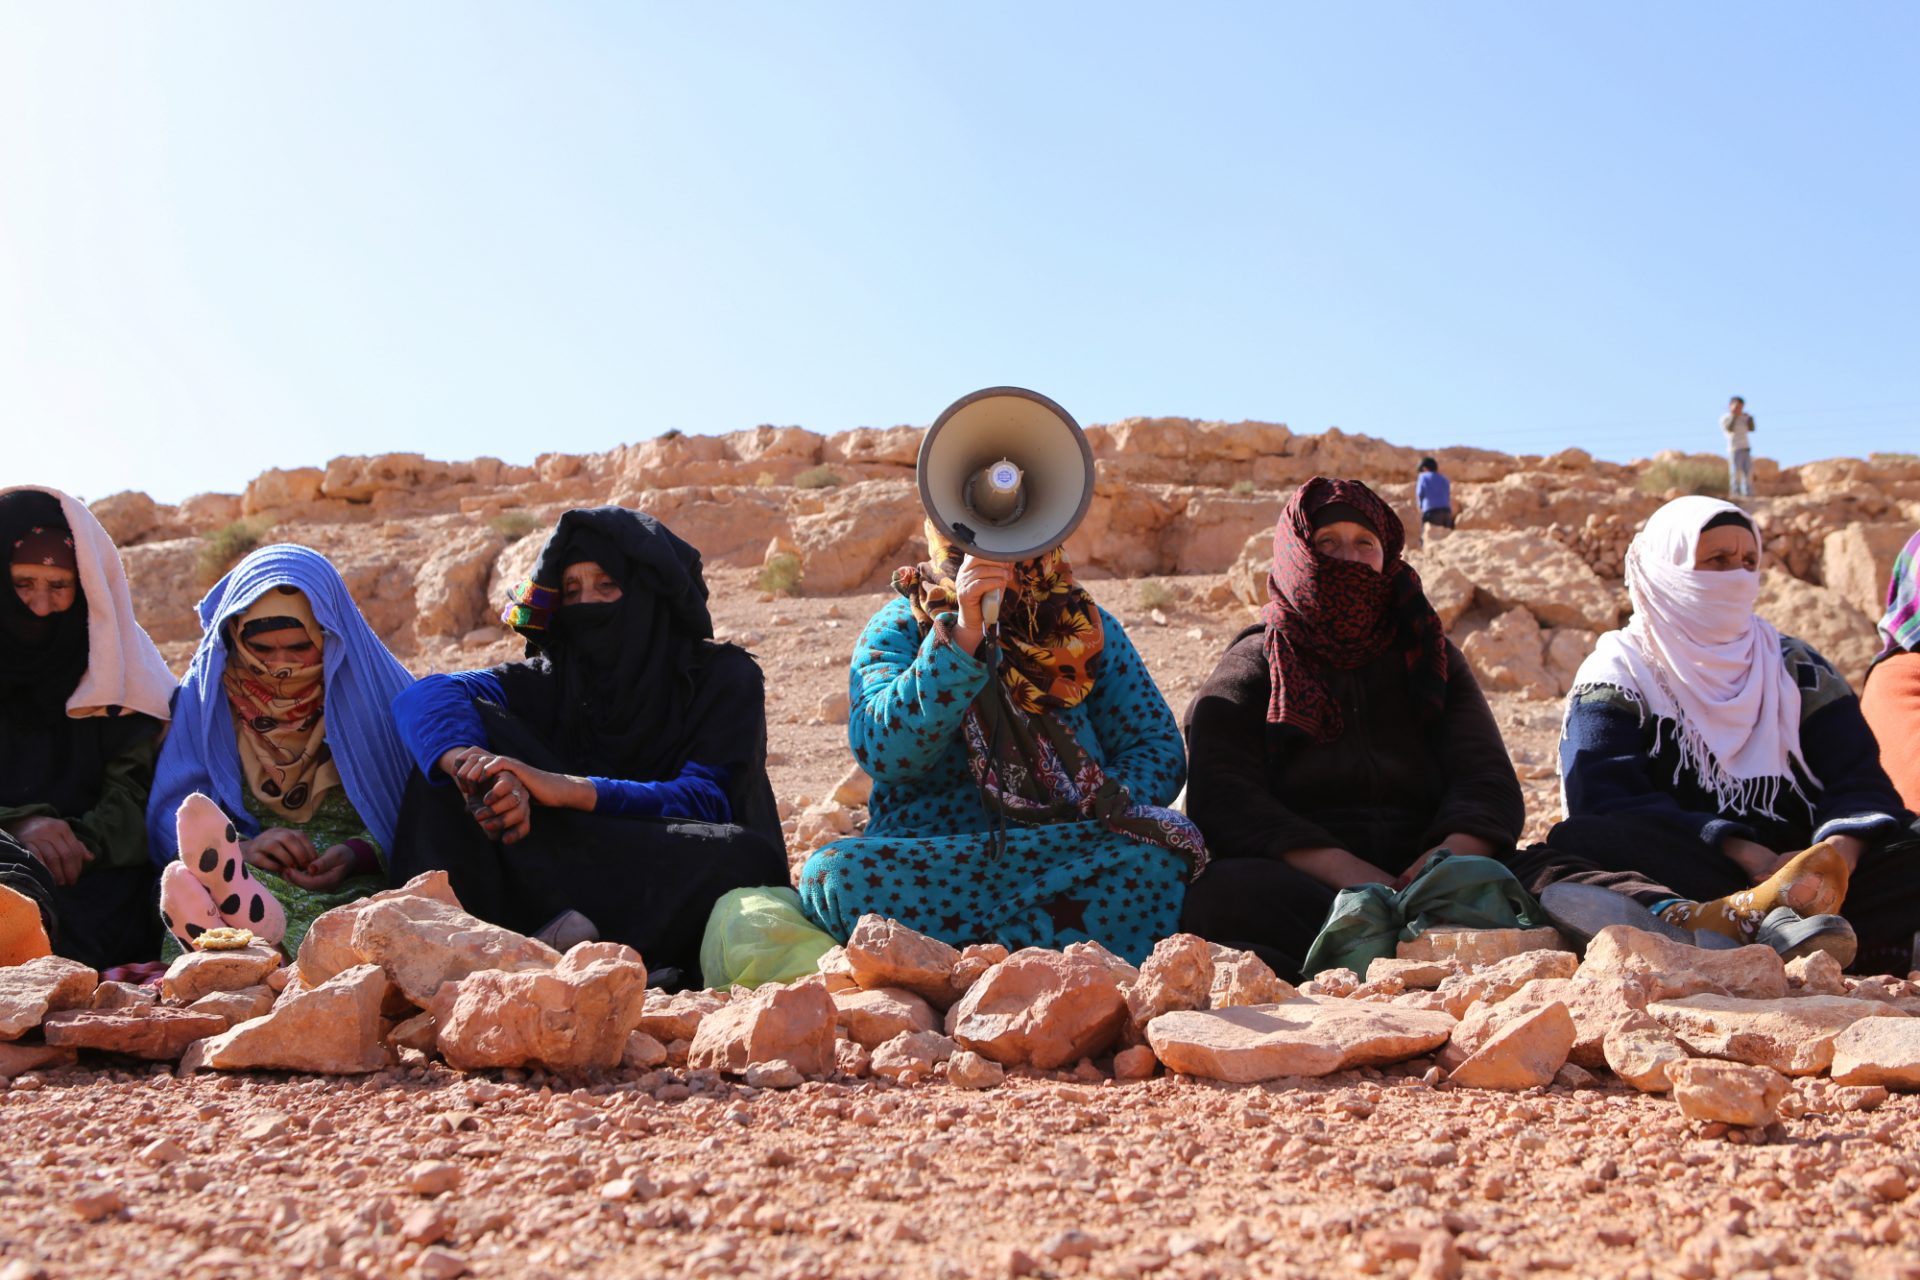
x=1007 y=475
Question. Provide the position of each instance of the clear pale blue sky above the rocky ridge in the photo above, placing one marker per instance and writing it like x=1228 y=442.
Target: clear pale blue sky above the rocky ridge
x=247 y=235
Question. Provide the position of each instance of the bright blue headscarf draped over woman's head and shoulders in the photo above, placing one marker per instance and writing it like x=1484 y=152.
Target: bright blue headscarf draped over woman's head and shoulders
x=362 y=680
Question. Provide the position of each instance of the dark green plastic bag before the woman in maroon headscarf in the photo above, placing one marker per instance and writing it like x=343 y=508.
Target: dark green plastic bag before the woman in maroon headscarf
x=1368 y=922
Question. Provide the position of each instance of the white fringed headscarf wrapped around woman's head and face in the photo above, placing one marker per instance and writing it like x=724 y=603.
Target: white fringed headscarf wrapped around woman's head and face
x=1700 y=661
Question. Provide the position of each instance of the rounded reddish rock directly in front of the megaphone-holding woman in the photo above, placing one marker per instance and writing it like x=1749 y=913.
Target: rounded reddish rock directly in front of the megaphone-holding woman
x=1040 y=1008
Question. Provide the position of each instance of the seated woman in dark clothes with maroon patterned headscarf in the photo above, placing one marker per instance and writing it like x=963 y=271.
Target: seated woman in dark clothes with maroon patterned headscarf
x=1341 y=740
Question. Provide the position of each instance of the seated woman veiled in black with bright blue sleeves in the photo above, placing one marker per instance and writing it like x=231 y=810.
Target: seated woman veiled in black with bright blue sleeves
x=613 y=784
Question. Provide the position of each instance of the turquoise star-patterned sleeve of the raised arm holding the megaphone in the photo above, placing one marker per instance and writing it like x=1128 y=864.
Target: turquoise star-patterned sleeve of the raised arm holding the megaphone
x=907 y=694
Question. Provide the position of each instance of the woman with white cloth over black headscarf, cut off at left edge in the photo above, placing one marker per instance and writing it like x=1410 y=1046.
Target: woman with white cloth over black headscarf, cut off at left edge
x=84 y=699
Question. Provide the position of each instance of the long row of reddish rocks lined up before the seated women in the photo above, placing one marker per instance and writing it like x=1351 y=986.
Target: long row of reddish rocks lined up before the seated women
x=410 y=974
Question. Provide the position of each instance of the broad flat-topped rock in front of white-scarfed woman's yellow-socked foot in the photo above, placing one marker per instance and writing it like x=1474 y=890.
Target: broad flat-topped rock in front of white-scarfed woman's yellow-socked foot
x=1794 y=1037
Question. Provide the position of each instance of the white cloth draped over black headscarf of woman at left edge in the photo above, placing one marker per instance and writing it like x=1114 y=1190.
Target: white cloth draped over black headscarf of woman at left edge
x=124 y=669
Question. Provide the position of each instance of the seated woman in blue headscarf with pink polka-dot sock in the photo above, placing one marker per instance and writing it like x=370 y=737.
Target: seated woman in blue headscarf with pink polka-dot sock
x=281 y=780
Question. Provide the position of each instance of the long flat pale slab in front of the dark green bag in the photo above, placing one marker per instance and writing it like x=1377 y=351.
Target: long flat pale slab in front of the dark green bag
x=1297 y=1037
